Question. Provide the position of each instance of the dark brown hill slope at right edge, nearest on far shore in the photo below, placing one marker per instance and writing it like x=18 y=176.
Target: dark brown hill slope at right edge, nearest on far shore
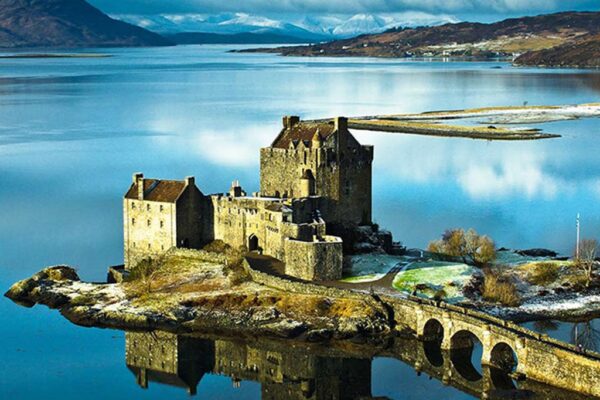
x=582 y=53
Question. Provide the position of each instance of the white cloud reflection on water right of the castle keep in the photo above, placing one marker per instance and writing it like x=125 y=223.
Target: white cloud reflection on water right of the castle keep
x=482 y=171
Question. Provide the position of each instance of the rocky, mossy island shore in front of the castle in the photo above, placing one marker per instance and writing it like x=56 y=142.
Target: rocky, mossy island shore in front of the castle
x=247 y=309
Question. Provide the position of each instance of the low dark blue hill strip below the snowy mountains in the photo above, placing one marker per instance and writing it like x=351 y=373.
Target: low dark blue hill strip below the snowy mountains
x=236 y=38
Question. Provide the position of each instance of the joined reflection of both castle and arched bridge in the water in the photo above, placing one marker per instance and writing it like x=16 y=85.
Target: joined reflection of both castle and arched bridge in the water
x=293 y=370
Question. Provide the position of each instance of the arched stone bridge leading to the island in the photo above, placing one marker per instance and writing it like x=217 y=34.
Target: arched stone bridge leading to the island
x=506 y=346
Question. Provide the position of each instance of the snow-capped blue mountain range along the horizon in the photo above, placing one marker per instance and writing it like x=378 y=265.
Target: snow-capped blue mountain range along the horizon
x=325 y=27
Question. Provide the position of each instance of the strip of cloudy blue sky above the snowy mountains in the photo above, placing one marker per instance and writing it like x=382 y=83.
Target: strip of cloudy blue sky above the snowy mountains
x=466 y=10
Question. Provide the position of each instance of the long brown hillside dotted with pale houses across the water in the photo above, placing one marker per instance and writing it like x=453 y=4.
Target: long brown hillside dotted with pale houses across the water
x=507 y=38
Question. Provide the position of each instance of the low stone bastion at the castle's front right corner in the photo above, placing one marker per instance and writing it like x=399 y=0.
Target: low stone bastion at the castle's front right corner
x=318 y=260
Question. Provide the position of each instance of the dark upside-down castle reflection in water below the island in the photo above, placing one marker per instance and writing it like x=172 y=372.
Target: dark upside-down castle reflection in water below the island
x=283 y=373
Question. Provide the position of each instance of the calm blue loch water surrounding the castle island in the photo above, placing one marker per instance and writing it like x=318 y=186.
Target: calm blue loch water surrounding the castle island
x=74 y=130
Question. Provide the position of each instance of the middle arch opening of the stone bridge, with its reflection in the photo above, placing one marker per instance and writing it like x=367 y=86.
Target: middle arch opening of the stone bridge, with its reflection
x=464 y=347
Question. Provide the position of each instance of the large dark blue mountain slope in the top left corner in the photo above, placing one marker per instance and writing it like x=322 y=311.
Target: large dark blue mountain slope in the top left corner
x=67 y=23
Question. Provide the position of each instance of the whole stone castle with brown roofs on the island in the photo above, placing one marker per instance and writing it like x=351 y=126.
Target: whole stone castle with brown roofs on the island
x=315 y=185
